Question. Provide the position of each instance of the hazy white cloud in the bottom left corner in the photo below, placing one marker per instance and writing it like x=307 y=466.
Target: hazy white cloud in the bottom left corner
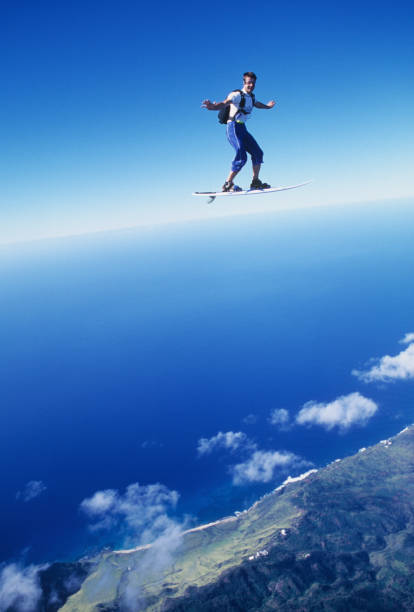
x=19 y=588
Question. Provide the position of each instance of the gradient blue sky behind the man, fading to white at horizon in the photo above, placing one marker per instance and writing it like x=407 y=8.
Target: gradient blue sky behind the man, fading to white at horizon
x=102 y=125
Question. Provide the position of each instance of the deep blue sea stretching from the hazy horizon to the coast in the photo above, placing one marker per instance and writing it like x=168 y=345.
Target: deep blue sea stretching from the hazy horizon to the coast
x=120 y=350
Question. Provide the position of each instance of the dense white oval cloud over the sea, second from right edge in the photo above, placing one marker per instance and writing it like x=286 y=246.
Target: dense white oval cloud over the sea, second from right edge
x=347 y=410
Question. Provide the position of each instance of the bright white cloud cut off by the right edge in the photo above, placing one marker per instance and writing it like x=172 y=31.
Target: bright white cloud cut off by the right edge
x=388 y=369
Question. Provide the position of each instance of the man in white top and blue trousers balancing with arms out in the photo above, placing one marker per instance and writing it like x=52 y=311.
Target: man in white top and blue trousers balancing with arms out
x=240 y=104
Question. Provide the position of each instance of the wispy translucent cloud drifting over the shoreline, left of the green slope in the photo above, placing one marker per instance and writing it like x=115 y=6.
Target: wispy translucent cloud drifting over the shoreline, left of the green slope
x=141 y=511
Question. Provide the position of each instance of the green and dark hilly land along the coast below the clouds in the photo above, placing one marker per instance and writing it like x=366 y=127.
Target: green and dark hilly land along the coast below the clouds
x=342 y=538
